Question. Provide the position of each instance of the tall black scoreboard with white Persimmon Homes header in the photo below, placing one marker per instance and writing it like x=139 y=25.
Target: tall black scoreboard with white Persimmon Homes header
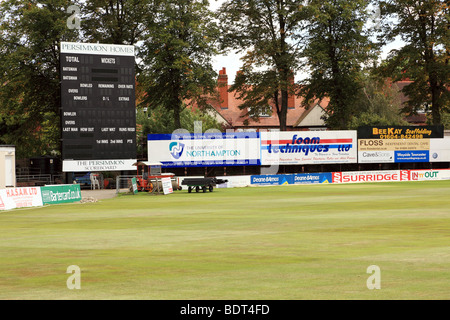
x=98 y=114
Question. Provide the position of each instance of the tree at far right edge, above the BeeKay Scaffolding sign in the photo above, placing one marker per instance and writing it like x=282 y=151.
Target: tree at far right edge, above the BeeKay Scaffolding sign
x=424 y=26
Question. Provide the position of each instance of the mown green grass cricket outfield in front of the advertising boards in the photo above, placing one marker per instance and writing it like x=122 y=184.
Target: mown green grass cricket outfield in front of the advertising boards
x=288 y=242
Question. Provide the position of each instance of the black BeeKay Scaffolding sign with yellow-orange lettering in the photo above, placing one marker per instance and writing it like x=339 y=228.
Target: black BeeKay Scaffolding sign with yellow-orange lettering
x=400 y=132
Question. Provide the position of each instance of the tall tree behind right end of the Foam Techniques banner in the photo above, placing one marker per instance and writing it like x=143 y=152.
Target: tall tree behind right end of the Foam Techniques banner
x=337 y=44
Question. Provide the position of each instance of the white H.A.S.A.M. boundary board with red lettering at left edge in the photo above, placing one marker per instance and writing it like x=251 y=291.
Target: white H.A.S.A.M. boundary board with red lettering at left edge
x=20 y=197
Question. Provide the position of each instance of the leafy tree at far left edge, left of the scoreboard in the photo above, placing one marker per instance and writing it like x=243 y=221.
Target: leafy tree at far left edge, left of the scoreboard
x=30 y=33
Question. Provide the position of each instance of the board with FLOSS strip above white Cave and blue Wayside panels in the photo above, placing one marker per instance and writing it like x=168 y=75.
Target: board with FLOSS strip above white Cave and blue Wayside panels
x=393 y=150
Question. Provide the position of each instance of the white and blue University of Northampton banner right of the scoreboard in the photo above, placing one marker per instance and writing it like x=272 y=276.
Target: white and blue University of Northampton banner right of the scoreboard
x=201 y=150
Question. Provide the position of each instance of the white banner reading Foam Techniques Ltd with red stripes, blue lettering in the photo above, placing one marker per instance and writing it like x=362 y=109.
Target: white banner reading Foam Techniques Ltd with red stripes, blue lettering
x=308 y=147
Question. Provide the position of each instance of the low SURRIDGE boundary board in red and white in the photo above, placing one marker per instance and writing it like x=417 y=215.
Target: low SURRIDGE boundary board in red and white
x=367 y=176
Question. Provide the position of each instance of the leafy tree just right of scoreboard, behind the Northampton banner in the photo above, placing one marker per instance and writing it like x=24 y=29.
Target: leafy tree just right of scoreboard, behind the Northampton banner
x=176 y=56
